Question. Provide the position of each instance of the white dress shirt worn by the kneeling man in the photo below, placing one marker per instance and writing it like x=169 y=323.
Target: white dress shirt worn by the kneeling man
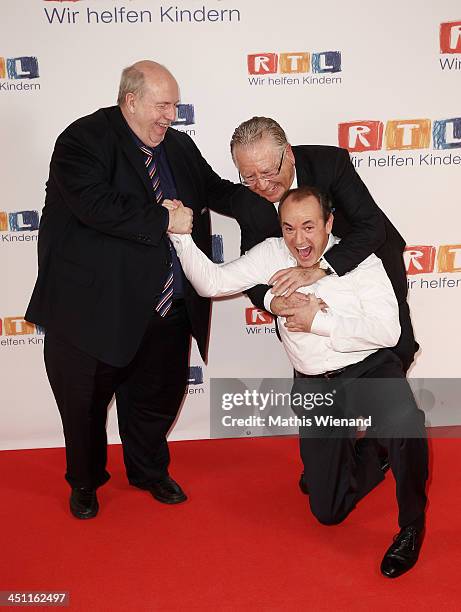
x=362 y=315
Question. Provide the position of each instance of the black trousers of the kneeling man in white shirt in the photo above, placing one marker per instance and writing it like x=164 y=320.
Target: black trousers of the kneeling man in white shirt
x=336 y=474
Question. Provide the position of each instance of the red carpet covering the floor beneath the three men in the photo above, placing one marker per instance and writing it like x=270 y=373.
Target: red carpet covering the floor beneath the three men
x=245 y=539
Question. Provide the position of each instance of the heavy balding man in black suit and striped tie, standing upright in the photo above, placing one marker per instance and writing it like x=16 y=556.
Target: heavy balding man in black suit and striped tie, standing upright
x=110 y=292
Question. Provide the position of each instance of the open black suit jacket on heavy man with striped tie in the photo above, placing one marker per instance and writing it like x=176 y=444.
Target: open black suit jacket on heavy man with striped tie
x=103 y=250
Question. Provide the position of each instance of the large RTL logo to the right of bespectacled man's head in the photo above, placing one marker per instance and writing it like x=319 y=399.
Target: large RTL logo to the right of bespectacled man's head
x=400 y=134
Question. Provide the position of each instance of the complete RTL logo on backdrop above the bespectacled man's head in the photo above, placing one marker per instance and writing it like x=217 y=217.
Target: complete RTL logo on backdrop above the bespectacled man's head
x=294 y=63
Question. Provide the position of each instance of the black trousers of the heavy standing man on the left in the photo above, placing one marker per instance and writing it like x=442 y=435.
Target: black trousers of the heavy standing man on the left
x=149 y=393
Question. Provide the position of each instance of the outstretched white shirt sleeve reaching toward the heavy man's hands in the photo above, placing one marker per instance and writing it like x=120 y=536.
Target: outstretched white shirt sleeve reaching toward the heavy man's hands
x=214 y=280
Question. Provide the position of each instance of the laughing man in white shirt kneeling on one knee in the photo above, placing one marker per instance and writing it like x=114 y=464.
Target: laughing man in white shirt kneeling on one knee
x=343 y=337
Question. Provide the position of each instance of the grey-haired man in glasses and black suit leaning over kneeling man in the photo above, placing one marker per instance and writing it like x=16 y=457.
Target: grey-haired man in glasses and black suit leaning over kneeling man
x=270 y=166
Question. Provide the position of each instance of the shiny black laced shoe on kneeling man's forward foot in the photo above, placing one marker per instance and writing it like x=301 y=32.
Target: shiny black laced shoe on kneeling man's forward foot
x=403 y=552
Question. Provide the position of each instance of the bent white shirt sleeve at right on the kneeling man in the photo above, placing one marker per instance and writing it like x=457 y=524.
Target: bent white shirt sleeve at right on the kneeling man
x=377 y=322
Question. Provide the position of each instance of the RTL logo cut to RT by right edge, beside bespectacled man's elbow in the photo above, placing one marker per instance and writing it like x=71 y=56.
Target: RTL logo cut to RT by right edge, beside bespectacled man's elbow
x=421 y=259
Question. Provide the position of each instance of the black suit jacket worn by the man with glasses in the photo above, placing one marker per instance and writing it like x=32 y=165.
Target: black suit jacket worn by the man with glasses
x=365 y=229
